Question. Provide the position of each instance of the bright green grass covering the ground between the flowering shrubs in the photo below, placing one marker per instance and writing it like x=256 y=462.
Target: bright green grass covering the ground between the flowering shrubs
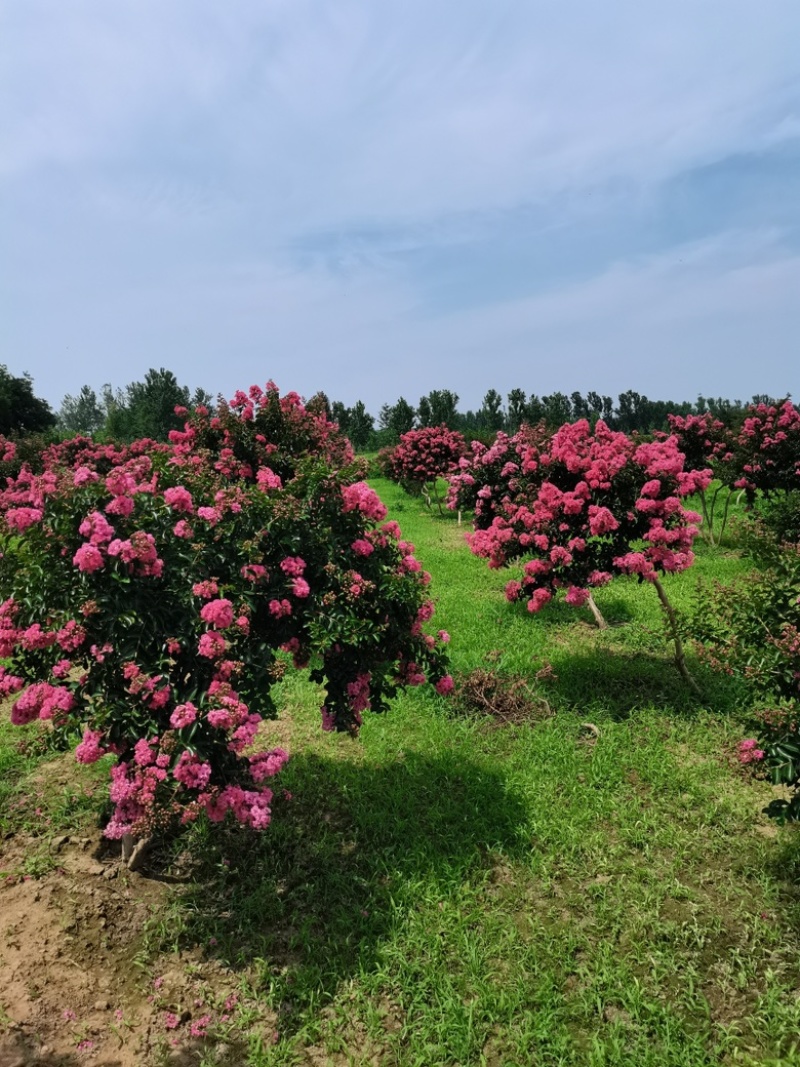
x=444 y=891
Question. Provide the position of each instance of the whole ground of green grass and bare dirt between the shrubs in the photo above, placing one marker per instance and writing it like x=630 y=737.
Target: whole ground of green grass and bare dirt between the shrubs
x=563 y=866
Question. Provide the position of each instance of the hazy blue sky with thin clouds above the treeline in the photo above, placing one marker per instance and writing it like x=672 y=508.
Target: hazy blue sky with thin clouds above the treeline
x=382 y=199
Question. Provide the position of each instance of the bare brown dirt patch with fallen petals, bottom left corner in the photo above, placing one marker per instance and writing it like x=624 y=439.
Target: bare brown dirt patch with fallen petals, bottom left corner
x=75 y=988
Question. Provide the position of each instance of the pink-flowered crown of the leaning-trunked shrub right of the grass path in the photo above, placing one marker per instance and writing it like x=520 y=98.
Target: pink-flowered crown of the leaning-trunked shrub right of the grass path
x=583 y=507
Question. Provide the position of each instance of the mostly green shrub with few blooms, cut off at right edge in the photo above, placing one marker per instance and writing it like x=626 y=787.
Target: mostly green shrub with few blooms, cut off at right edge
x=753 y=630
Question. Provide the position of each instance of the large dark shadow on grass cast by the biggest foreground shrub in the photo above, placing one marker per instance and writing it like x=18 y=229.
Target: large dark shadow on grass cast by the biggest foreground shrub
x=349 y=856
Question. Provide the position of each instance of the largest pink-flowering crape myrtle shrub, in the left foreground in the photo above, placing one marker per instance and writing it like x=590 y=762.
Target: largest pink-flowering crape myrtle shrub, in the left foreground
x=148 y=591
